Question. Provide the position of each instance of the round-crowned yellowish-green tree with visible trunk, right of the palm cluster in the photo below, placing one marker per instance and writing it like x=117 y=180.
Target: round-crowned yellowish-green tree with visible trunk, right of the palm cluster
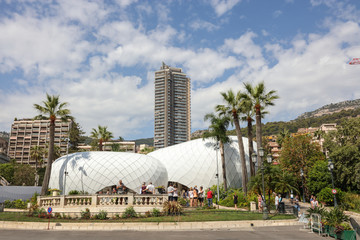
x=300 y=153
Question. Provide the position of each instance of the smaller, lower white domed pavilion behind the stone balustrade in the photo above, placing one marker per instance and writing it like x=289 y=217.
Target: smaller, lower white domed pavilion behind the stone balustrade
x=92 y=171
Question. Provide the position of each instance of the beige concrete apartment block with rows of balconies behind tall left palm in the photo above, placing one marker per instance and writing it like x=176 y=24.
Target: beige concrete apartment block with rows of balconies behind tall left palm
x=26 y=133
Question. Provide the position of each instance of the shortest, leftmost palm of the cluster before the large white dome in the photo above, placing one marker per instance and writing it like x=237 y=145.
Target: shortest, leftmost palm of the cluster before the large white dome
x=217 y=131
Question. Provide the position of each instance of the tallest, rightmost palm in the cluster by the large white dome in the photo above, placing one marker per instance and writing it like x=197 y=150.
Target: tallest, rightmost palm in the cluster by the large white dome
x=260 y=99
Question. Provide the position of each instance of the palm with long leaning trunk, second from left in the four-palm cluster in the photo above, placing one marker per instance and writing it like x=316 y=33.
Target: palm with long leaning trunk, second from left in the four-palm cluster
x=232 y=109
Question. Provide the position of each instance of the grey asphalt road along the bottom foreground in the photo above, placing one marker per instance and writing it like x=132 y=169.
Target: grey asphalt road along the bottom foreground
x=276 y=233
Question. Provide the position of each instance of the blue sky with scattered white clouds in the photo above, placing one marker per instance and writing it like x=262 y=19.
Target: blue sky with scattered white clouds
x=100 y=56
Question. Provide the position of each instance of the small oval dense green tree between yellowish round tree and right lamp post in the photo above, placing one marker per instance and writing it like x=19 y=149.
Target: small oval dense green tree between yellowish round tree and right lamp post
x=318 y=178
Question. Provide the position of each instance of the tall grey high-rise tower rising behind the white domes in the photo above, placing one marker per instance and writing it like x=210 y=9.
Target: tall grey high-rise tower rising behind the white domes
x=172 y=107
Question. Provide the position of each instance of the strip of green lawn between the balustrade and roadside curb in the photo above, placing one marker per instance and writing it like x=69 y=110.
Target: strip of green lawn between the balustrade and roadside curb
x=189 y=216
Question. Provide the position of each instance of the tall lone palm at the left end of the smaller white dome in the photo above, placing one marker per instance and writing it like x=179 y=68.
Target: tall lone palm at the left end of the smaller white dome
x=51 y=110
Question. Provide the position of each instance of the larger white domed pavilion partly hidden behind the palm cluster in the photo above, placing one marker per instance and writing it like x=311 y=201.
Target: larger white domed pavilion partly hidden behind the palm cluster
x=194 y=162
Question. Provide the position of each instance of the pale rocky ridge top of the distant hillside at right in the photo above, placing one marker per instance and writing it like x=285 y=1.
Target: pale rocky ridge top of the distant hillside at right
x=331 y=108
